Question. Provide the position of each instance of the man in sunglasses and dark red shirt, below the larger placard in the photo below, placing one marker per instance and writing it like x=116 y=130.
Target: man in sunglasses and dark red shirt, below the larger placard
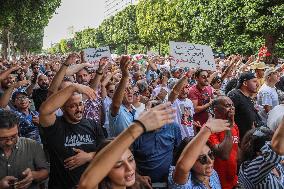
x=201 y=96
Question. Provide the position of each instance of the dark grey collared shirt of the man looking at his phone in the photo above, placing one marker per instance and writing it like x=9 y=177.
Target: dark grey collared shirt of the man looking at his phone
x=26 y=154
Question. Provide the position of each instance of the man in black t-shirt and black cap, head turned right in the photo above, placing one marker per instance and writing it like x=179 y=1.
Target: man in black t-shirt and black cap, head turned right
x=246 y=115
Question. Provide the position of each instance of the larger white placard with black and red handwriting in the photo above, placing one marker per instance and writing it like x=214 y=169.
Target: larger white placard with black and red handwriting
x=192 y=56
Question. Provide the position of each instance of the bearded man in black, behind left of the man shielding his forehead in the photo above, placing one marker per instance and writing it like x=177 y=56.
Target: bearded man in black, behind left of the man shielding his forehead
x=39 y=95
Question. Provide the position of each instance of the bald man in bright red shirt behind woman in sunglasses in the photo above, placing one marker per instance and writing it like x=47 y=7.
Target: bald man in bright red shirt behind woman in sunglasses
x=225 y=144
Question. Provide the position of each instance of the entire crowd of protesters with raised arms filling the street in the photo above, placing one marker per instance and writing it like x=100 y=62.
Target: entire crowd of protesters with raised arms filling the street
x=138 y=122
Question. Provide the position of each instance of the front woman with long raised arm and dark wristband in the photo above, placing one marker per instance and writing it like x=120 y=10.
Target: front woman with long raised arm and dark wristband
x=114 y=166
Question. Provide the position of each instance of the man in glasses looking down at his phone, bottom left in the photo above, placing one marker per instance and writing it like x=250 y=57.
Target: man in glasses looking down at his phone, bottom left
x=22 y=161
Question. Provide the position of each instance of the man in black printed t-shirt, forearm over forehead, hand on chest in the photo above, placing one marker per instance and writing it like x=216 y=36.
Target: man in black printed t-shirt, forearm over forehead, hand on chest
x=71 y=140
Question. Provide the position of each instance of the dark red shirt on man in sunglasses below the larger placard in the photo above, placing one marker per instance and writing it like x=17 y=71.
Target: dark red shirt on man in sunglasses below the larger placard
x=203 y=97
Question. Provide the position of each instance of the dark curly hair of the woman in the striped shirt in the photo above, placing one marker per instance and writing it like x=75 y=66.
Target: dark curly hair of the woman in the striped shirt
x=252 y=142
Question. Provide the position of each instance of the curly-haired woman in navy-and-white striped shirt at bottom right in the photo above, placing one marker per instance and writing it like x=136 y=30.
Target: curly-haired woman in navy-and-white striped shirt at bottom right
x=261 y=159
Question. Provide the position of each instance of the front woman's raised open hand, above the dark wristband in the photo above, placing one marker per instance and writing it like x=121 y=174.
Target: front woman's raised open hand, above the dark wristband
x=158 y=116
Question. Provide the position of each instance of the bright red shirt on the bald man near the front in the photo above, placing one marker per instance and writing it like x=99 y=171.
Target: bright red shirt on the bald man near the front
x=227 y=169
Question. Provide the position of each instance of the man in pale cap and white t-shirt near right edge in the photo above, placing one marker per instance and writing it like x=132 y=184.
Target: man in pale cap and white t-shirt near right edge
x=267 y=96
